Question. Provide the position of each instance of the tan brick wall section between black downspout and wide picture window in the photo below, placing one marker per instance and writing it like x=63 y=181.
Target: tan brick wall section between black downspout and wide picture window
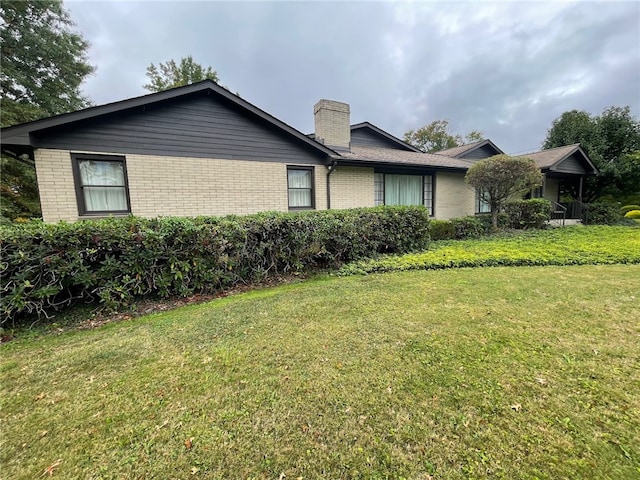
x=352 y=187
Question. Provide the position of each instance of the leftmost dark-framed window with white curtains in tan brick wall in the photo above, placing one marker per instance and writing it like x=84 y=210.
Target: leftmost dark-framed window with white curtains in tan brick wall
x=101 y=184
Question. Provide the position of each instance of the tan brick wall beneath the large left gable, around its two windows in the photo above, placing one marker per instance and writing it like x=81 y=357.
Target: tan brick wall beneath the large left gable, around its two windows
x=179 y=186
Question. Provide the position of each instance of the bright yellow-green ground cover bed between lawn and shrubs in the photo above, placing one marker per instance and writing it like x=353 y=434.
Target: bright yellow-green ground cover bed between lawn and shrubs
x=562 y=246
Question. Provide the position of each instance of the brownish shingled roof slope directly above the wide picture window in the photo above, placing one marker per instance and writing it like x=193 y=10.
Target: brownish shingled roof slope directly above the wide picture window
x=389 y=156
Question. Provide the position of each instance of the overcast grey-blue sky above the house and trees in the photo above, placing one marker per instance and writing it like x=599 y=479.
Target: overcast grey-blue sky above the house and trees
x=506 y=68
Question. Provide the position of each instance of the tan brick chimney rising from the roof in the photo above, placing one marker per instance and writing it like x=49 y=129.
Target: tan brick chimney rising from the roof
x=332 y=124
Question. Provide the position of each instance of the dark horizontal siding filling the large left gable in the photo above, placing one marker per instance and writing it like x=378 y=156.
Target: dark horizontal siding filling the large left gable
x=199 y=126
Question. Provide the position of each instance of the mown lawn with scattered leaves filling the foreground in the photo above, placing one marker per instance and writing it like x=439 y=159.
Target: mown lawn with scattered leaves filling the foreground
x=467 y=373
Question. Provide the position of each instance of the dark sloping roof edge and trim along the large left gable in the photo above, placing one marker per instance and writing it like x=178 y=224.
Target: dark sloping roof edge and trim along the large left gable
x=19 y=135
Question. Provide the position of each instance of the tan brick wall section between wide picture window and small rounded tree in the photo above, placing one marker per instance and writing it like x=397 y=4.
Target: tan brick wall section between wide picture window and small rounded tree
x=454 y=198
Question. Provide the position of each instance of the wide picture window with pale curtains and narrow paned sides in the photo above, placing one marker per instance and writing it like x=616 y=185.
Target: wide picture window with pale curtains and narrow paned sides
x=402 y=189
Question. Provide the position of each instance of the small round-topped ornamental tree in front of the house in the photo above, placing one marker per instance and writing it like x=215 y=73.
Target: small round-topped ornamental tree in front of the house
x=500 y=178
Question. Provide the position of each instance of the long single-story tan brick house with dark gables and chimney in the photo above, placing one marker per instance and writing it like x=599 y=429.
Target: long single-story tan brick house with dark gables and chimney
x=201 y=150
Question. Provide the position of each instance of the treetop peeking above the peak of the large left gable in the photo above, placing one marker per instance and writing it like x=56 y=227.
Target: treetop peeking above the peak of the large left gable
x=171 y=74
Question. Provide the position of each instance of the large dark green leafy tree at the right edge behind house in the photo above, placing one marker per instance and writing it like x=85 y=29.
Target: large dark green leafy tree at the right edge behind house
x=612 y=142
